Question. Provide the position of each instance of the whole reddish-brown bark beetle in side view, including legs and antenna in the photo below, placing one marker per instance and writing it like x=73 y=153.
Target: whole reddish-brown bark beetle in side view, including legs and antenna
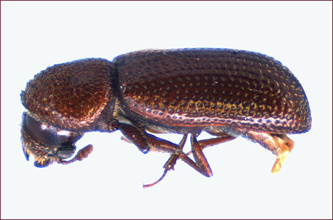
x=225 y=92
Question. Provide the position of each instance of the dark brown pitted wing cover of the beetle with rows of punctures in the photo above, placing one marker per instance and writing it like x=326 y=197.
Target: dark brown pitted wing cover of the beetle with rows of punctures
x=225 y=87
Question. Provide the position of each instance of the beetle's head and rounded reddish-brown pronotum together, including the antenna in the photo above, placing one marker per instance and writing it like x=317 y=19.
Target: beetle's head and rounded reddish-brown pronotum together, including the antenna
x=62 y=103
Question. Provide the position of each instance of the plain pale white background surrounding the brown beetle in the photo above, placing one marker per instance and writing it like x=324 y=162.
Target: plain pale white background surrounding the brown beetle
x=108 y=184
